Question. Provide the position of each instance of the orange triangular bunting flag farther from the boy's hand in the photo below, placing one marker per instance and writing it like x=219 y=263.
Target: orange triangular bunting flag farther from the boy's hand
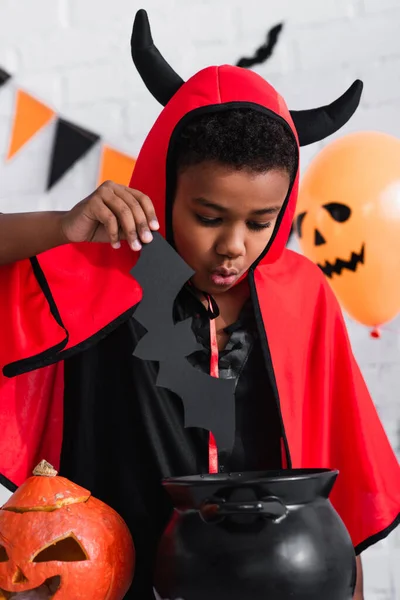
x=30 y=116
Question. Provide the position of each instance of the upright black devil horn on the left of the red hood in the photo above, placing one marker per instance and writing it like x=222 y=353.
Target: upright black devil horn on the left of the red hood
x=159 y=78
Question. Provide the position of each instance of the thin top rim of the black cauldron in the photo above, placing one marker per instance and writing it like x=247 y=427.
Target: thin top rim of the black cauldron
x=250 y=477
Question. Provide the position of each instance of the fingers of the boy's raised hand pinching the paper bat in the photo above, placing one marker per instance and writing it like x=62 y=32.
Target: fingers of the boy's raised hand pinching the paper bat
x=133 y=212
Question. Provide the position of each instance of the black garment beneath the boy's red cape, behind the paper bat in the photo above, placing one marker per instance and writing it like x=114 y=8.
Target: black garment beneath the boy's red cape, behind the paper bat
x=123 y=435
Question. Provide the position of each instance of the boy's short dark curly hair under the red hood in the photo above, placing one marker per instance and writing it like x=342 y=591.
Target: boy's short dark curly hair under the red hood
x=244 y=139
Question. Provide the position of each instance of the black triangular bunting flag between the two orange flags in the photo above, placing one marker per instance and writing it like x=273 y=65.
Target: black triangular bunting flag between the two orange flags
x=70 y=144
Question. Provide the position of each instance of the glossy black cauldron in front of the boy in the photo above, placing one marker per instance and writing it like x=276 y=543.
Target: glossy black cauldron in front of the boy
x=255 y=536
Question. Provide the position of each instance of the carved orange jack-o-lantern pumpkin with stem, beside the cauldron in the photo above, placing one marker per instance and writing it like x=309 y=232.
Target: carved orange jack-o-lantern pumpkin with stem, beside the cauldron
x=57 y=541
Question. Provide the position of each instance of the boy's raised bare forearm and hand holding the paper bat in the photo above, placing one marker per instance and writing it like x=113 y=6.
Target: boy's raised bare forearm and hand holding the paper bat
x=111 y=213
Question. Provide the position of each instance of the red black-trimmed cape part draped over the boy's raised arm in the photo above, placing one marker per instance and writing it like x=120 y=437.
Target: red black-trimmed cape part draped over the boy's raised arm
x=53 y=303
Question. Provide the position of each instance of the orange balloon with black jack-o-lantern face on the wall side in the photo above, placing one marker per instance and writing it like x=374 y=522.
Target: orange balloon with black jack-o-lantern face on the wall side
x=348 y=222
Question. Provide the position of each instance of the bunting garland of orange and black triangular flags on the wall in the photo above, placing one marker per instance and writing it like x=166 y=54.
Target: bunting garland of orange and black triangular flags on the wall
x=70 y=144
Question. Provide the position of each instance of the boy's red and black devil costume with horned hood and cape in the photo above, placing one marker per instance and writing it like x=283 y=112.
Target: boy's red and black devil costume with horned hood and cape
x=73 y=392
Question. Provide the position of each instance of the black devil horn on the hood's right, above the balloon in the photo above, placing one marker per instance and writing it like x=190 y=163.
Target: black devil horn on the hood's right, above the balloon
x=318 y=123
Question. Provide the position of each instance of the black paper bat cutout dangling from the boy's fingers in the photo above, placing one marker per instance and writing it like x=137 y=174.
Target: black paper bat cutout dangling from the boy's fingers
x=209 y=402
